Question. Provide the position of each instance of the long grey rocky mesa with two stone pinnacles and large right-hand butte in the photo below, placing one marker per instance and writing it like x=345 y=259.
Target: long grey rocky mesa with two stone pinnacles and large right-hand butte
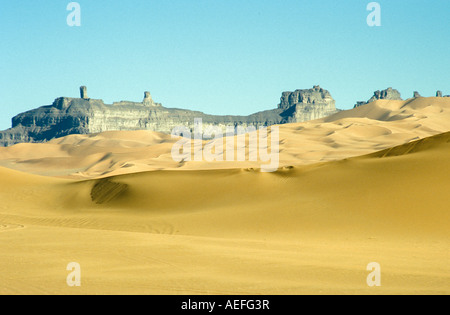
x=83 y=115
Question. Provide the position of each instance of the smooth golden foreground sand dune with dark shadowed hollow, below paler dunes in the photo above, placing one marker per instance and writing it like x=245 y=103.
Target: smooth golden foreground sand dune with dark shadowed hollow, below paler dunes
x=306 y=229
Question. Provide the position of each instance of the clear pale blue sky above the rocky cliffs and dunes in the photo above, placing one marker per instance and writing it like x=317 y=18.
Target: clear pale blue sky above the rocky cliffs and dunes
x=219 y=56
